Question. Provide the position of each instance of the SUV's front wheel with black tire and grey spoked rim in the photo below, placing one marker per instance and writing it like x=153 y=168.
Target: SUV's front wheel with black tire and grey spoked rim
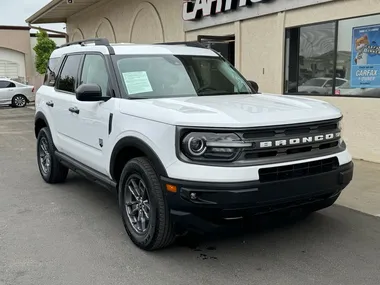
x=144 y=210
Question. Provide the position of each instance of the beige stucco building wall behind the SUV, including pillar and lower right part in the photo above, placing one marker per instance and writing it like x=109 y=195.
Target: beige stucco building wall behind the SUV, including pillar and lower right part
x=259 y=48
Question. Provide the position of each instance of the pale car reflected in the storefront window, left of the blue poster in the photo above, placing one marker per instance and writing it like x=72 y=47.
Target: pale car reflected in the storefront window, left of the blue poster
x=320 y=85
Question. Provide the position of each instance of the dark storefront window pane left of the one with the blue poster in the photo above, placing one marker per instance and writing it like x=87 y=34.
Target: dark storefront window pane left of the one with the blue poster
x=310 y=59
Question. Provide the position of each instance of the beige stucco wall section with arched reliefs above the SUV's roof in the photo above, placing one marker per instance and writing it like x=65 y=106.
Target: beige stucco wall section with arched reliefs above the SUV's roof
x=129 y=21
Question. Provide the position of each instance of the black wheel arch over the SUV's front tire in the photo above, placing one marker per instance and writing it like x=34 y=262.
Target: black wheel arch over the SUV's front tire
x=131 y=147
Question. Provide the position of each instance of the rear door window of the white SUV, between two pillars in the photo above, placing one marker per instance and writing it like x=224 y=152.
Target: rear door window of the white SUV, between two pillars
x=68 y=76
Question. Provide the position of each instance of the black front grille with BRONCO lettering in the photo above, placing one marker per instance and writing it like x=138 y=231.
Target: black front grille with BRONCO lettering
x=286 y=133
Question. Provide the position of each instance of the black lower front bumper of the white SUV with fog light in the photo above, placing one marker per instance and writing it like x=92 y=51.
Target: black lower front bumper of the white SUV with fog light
x=203 y=204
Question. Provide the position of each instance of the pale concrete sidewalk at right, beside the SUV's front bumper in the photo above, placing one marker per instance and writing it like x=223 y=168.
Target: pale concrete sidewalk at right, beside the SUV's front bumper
x=363 y=194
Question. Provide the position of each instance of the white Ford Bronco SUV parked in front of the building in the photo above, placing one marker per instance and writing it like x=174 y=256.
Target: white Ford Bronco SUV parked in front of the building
x=183 y=138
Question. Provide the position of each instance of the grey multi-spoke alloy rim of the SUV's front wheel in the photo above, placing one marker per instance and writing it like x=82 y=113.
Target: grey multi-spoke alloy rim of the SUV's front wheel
x=137 y=204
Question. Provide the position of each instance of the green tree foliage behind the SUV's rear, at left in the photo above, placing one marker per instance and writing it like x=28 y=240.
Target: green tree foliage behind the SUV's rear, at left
x=43 y=49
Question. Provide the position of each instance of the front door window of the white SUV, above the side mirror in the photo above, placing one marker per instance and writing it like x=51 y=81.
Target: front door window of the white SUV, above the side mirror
x=95 y=71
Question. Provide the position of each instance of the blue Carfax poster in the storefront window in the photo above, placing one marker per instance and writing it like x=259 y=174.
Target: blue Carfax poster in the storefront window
x=365 y=57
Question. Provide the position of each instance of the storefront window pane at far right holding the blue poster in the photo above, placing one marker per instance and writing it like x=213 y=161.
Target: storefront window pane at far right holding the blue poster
x=358 y=56
